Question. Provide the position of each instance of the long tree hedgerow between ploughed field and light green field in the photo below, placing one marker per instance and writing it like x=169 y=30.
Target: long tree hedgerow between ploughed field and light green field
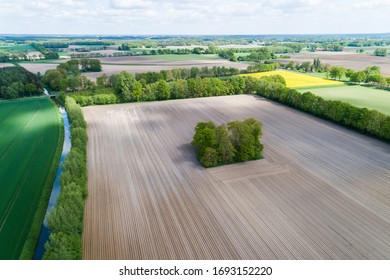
x=361 y=119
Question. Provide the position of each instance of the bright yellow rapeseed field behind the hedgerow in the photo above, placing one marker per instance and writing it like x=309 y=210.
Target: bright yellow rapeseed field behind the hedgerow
x=296 y=80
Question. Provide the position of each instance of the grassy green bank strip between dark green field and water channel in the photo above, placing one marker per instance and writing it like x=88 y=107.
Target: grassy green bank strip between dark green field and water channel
x=36 y=225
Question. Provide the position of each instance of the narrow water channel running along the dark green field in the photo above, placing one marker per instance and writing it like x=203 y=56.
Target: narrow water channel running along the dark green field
x=44 y=236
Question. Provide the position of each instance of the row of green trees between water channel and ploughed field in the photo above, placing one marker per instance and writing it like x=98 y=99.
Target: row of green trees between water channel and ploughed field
x=65 y=221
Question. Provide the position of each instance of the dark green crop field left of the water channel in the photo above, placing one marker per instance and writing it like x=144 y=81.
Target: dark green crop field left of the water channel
x=30 y=131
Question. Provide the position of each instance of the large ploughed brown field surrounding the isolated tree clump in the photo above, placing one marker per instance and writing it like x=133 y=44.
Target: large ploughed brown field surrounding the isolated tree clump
x=321 y=191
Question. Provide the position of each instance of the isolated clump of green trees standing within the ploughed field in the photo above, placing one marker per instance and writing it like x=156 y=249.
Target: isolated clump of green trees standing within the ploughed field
x=238 y=141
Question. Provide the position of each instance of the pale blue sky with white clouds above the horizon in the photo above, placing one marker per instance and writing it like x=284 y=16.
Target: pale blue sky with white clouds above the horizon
x=180 y=17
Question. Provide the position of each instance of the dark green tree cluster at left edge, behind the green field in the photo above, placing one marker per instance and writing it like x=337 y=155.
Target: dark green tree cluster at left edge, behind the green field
x=18 y=82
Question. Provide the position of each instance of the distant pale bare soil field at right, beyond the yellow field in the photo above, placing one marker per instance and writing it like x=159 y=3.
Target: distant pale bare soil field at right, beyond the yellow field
x=349 y=60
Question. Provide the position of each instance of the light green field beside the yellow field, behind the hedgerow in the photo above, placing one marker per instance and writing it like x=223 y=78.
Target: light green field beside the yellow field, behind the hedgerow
x=359 y=96
